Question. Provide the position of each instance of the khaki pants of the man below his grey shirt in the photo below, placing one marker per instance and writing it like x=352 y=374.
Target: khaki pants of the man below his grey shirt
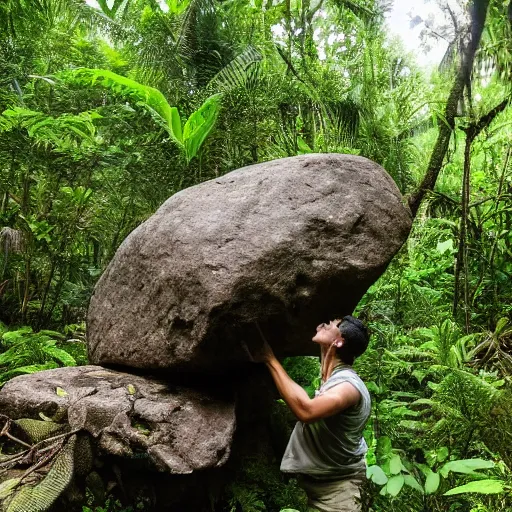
x=337 y=496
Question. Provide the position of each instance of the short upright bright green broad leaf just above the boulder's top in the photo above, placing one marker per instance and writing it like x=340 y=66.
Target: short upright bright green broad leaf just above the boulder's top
x=199 y=125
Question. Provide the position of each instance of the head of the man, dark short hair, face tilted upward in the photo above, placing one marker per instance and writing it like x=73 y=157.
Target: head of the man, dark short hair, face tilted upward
x=349 y=335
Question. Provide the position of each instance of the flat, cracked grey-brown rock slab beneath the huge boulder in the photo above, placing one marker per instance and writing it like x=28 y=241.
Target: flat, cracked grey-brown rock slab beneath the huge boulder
x=181 y=430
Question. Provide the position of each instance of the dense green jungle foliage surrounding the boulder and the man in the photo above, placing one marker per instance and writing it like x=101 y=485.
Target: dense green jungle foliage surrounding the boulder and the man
x=108 y=109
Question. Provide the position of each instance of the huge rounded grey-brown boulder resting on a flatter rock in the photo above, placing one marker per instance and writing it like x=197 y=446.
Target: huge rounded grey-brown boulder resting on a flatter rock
x=279 y=246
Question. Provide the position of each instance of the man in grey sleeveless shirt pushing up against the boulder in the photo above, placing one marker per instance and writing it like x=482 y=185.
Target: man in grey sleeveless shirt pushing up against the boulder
x=327 y=449
